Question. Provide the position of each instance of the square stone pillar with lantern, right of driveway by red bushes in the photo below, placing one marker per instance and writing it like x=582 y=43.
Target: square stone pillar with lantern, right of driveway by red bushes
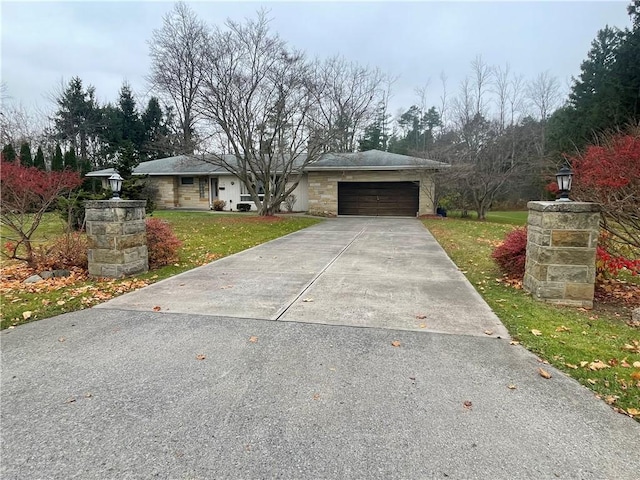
x=561 y=252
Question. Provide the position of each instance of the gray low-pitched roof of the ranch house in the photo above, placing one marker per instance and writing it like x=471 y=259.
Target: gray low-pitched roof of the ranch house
x=369 y=160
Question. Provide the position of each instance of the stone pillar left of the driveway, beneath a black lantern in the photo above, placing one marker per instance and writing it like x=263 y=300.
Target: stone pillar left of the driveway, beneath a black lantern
x=117 y=237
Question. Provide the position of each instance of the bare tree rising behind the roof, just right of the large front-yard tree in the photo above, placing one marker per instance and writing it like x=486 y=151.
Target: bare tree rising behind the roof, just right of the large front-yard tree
x=348 y=99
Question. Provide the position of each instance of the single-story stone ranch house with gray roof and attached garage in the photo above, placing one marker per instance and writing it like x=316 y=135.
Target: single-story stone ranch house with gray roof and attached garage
x=368 y=183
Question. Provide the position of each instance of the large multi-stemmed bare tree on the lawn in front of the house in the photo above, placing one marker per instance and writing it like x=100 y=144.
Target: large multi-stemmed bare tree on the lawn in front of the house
x=259 y=98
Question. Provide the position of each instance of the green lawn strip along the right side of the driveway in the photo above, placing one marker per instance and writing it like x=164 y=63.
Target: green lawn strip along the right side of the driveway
x=596 y=347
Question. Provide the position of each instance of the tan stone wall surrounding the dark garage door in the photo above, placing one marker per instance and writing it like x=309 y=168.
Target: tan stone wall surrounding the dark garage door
x=323 y=187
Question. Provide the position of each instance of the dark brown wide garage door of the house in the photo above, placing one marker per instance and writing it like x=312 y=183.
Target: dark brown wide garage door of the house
x=378 y=198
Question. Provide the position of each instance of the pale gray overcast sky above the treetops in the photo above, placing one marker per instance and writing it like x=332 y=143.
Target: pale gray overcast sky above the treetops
x=104 y=43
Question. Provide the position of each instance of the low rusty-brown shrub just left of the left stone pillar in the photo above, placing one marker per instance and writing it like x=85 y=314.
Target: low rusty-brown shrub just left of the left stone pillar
x=65 y=252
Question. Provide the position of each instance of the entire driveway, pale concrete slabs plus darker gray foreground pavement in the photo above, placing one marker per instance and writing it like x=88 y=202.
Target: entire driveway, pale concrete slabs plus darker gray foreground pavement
x=237 y=377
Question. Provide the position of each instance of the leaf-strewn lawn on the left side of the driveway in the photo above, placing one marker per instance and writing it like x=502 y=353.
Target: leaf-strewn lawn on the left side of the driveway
x=205 y=236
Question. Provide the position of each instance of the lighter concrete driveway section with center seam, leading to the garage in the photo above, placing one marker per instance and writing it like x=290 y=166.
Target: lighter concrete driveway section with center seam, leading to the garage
x=364 y=272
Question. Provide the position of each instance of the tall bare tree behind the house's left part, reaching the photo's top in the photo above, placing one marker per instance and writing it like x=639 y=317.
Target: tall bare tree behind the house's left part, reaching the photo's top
x=177 y=56
